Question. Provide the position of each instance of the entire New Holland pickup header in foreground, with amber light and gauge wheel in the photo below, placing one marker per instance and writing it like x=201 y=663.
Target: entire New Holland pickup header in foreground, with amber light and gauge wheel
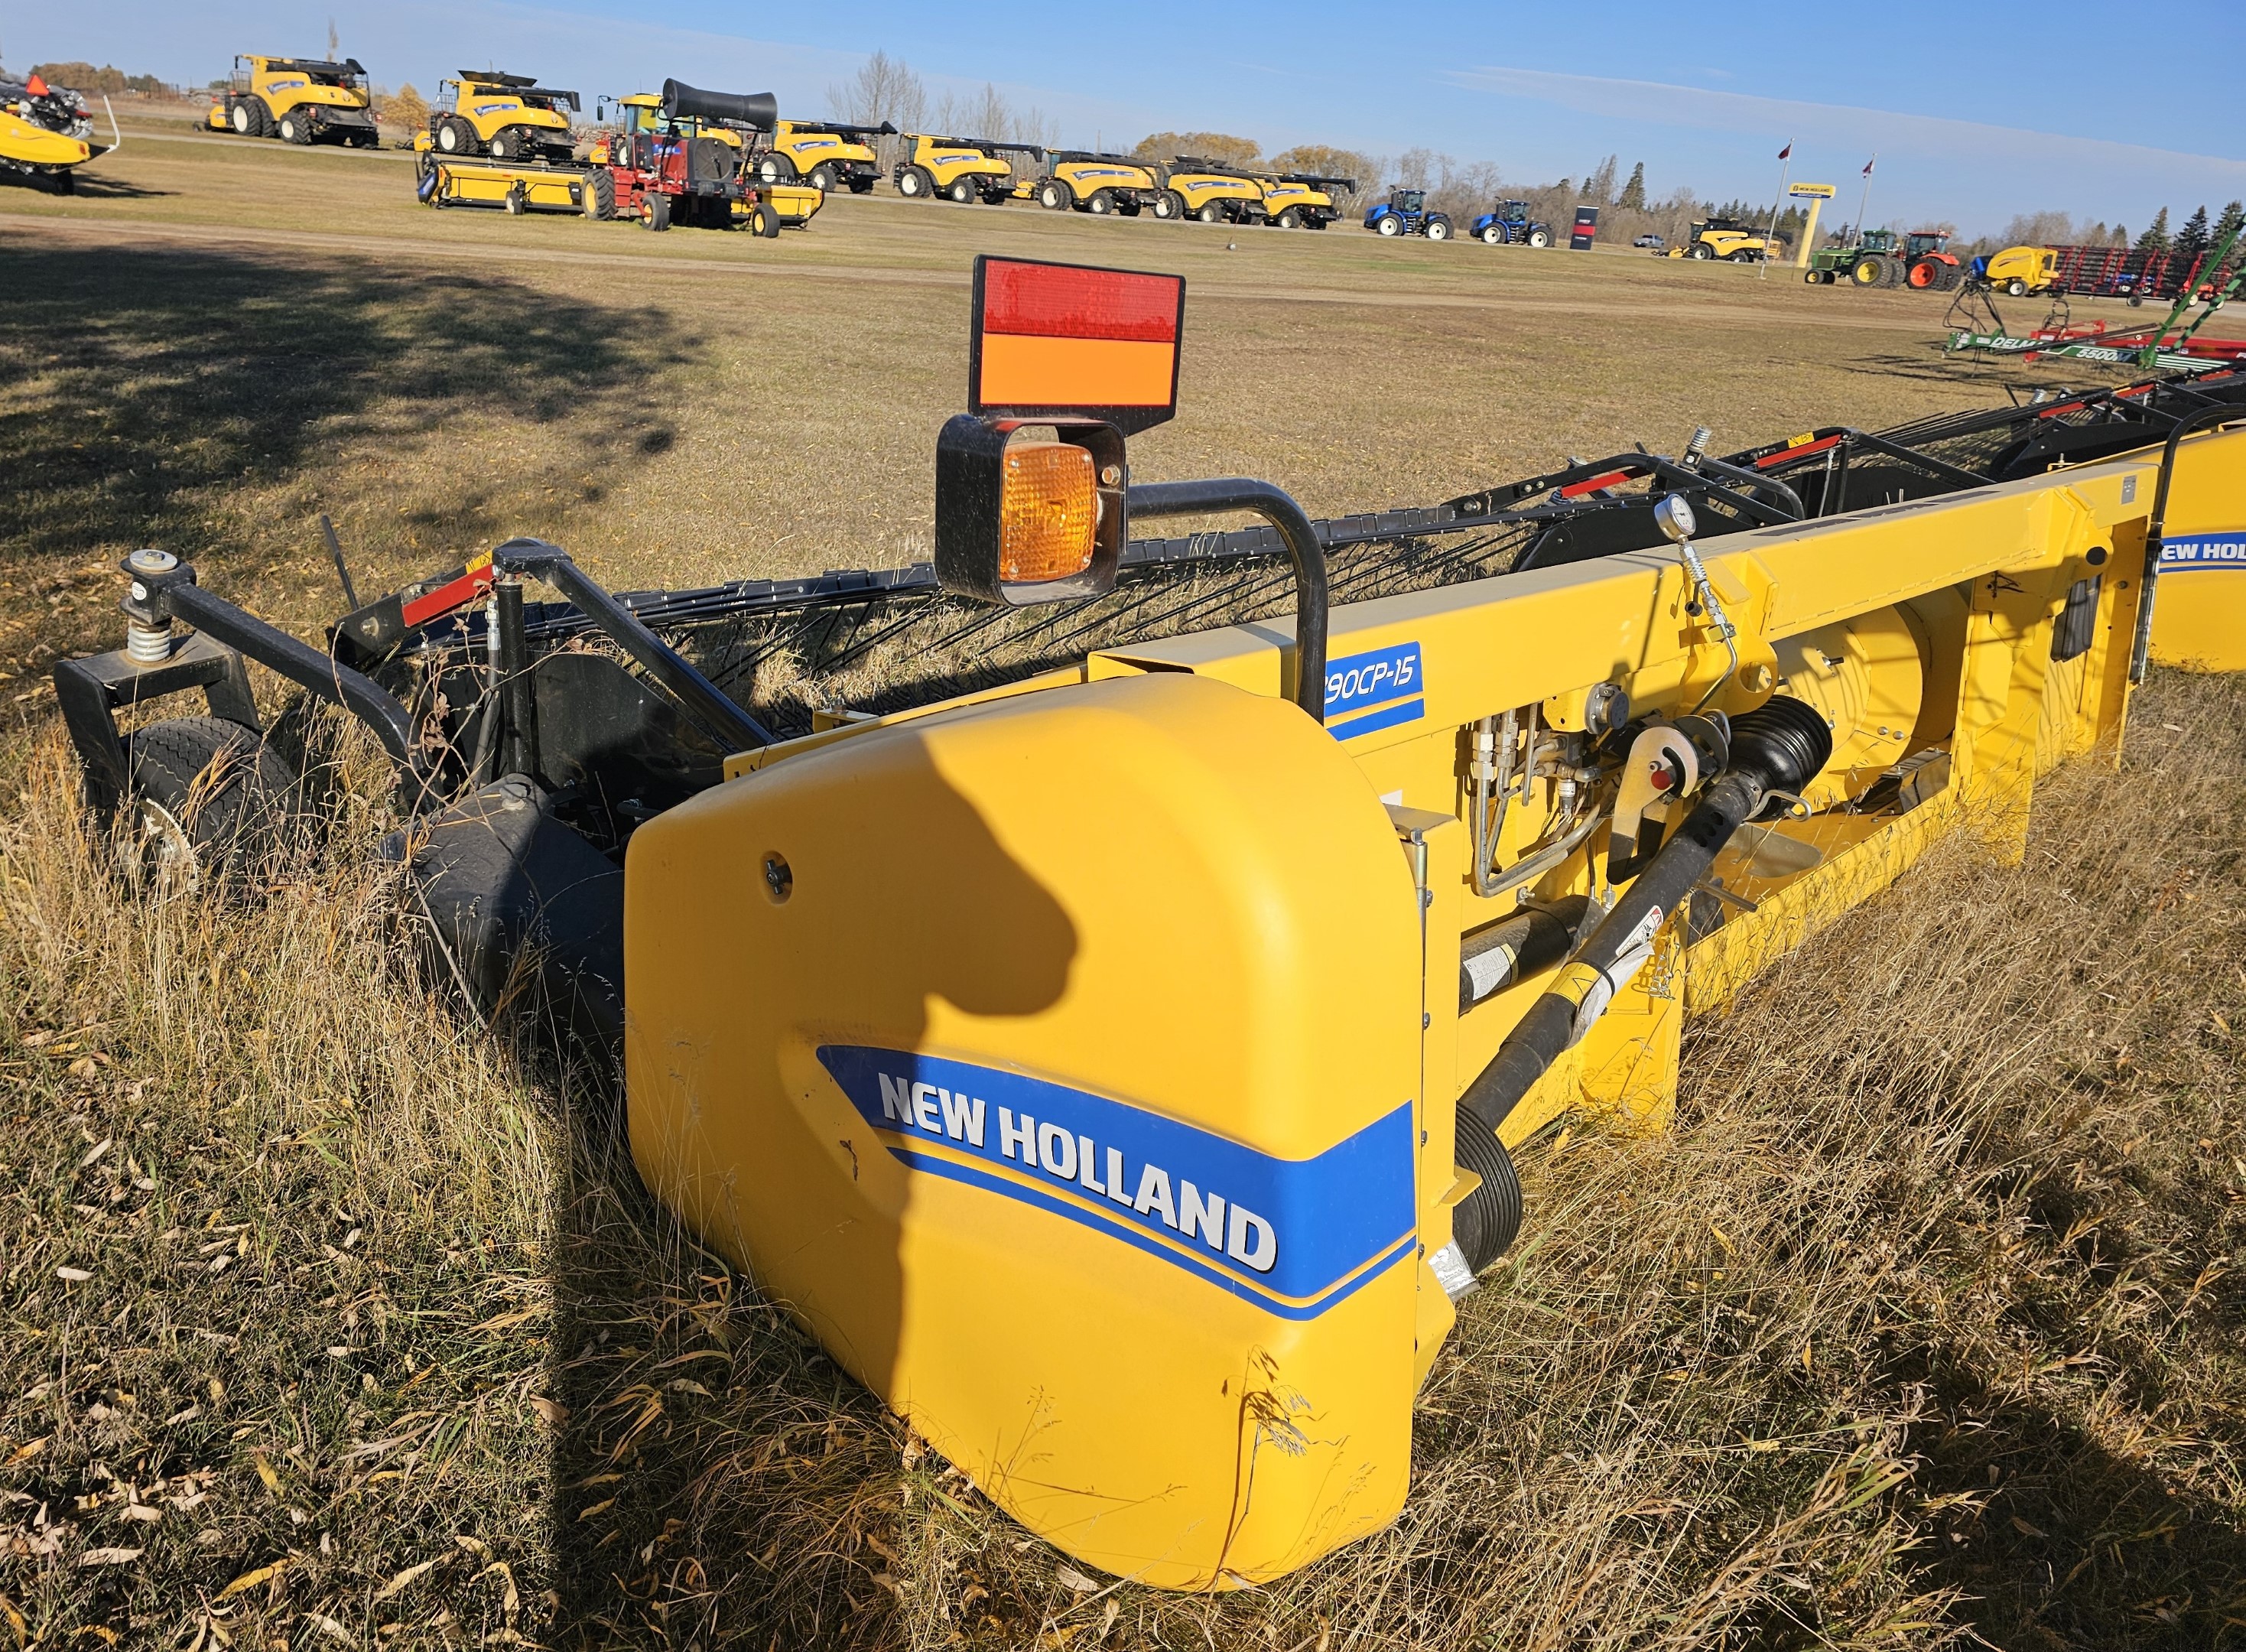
x=1111 y=1037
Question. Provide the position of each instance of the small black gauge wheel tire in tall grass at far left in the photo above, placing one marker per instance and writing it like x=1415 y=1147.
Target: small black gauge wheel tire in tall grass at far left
x=208 y=806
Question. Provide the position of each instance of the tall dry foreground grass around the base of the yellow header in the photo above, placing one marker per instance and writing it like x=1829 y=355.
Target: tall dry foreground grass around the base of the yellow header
x=1919 y=1327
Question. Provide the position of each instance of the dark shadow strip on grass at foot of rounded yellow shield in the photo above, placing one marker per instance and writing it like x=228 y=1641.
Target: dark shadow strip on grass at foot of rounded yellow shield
x=718 y=1480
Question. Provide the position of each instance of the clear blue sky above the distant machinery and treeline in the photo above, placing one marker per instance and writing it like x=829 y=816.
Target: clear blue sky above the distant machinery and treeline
x=1971 y=116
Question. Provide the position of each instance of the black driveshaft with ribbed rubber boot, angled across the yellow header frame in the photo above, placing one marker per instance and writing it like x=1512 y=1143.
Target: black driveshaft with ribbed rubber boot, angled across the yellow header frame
x=1778 y=747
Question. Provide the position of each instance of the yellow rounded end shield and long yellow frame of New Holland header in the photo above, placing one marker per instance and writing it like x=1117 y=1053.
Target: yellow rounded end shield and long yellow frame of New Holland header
x=1108 y=1066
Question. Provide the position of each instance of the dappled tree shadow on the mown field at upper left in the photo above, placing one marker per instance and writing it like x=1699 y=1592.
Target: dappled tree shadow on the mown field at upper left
x=145 y=379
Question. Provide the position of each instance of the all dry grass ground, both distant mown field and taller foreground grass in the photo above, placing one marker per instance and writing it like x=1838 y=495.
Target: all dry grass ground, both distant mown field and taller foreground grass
x=327 y=1323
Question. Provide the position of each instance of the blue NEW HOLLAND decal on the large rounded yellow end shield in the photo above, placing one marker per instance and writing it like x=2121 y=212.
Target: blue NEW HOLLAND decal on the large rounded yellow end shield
x=1295 y=1237
